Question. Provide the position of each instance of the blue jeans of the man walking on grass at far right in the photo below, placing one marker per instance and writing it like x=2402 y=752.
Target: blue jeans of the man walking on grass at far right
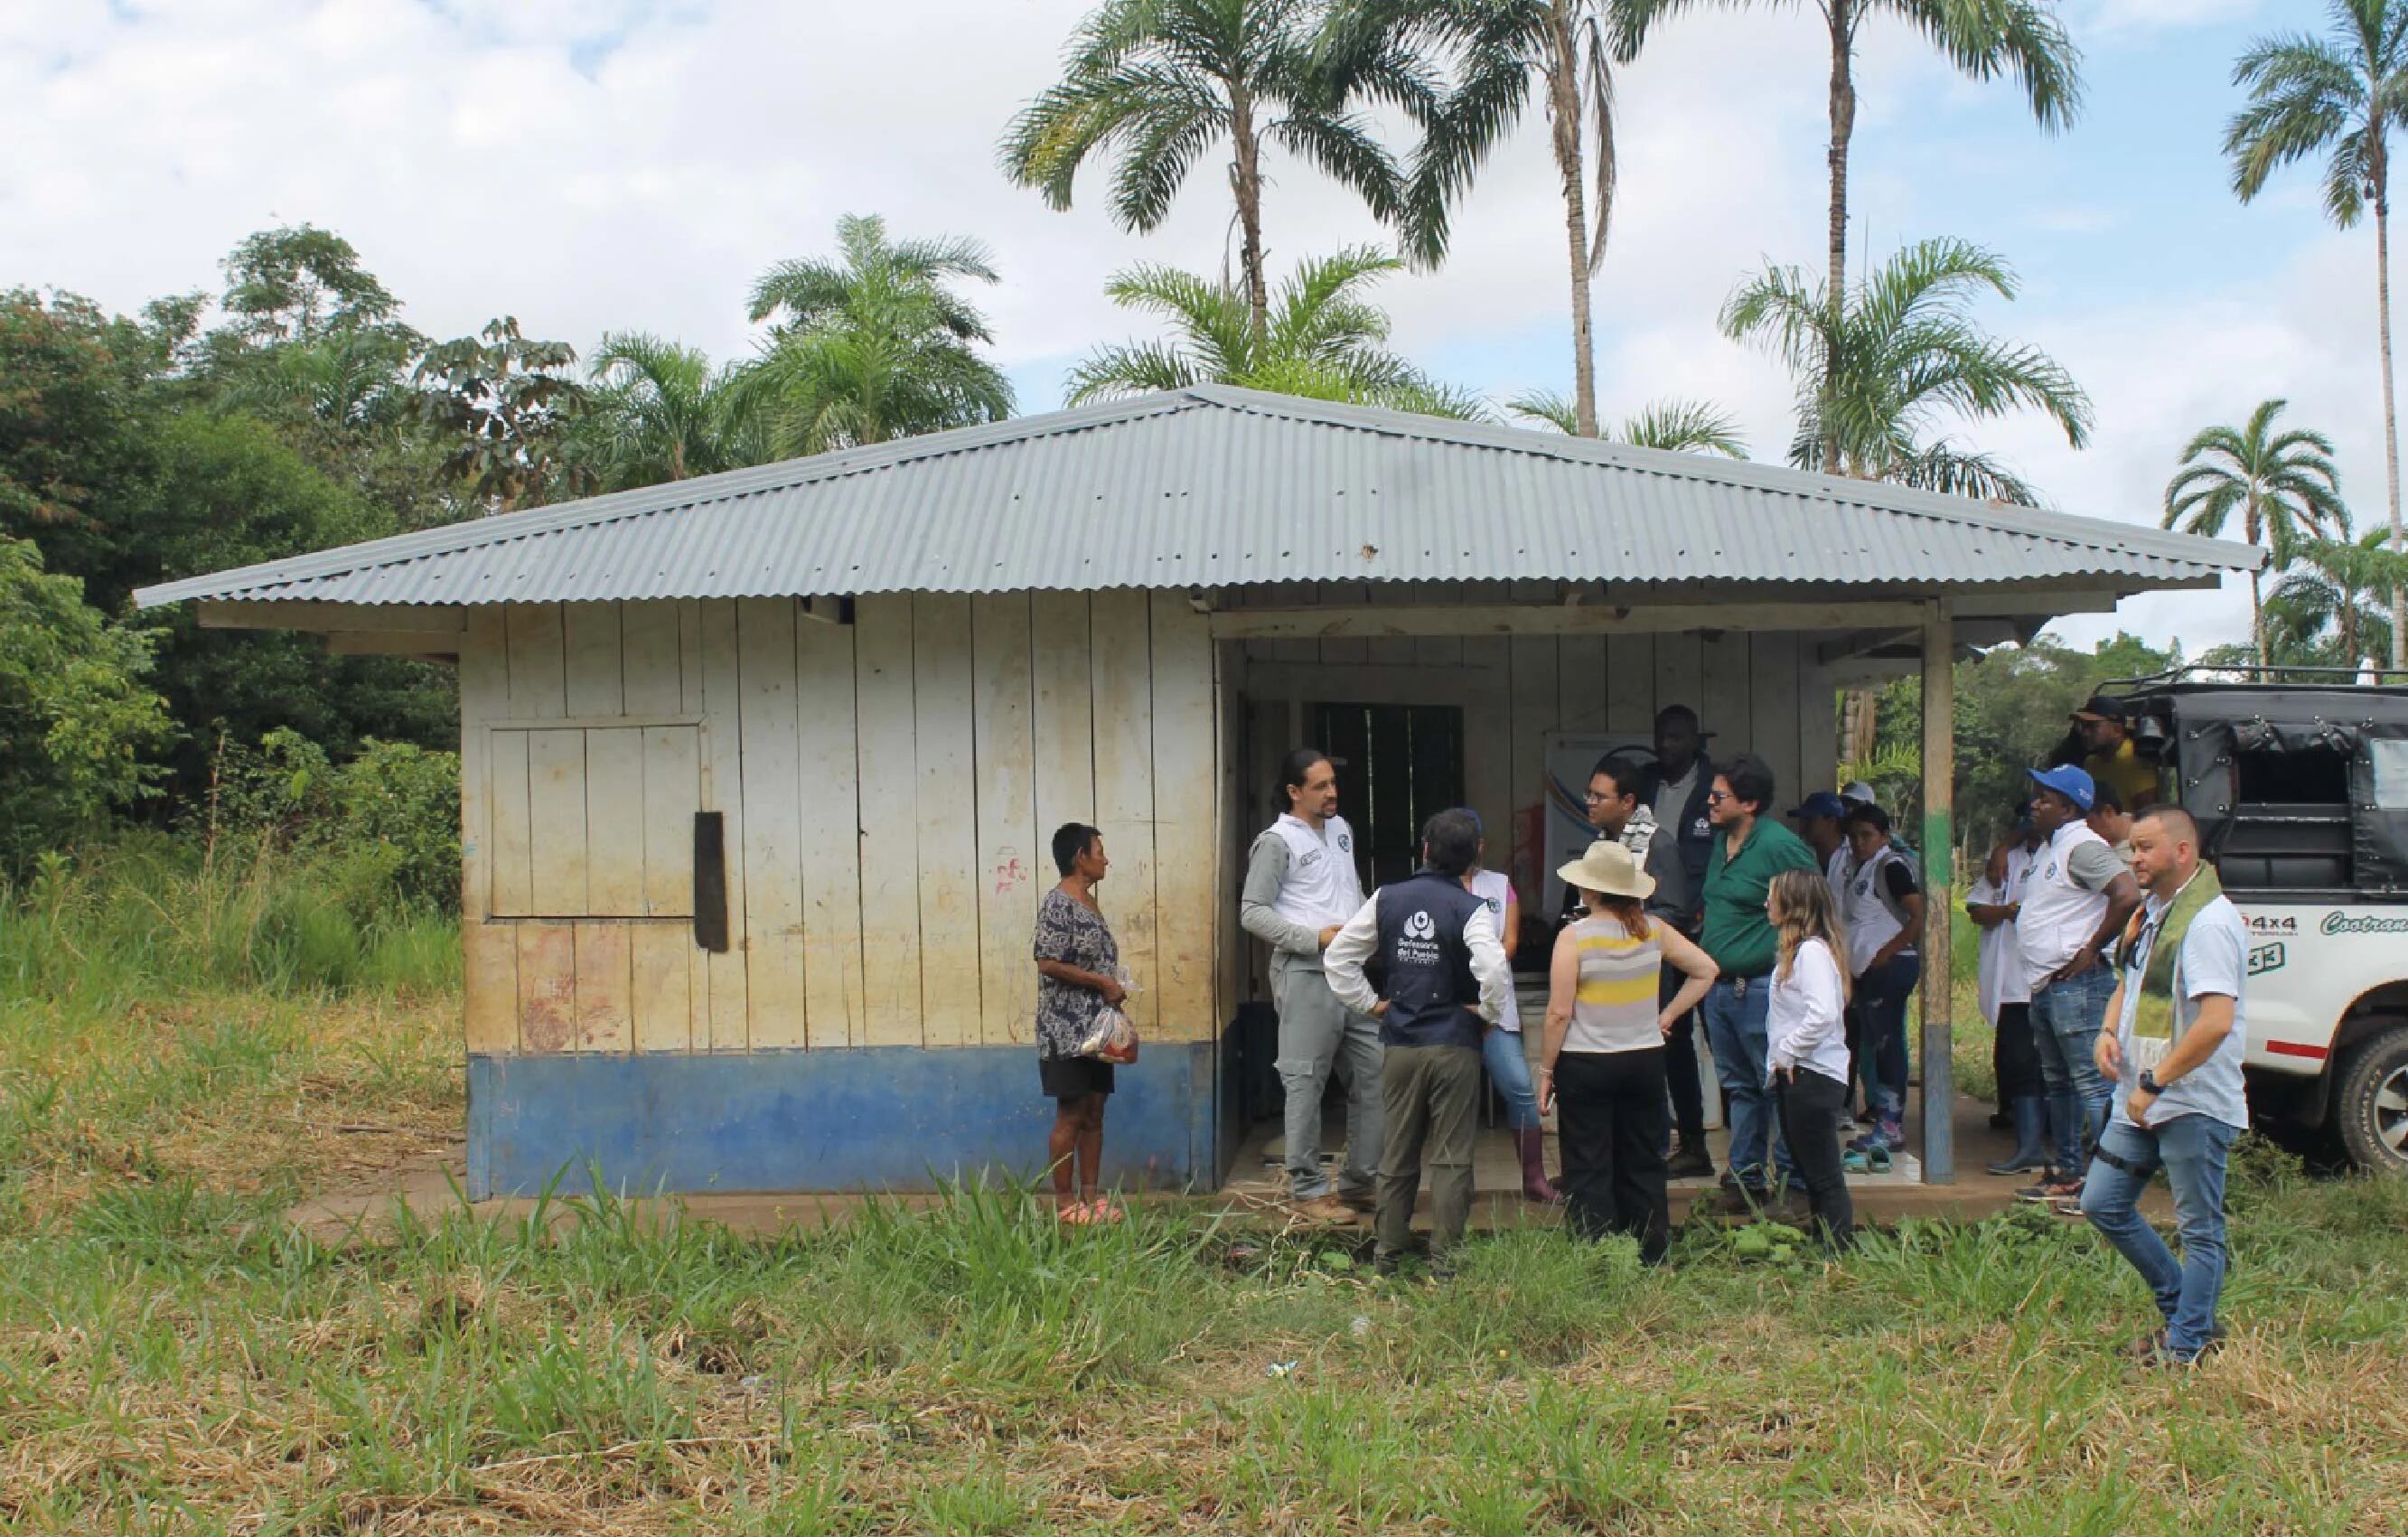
x=2192 y=1153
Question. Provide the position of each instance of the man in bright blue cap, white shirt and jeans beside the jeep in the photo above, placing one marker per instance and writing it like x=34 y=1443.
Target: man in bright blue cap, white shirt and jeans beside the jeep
x=2072 y=909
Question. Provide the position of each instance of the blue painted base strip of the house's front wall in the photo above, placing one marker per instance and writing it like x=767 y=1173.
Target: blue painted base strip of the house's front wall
x=873 y=1119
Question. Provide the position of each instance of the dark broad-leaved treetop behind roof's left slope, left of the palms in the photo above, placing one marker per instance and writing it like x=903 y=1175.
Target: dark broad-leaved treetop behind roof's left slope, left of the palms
x=504 y=404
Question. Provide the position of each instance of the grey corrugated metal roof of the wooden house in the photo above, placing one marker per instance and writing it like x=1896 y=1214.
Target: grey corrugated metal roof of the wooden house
x=1215 y=488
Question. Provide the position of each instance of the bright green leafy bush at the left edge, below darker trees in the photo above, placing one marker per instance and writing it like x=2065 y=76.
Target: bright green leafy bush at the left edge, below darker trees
x=76 y=717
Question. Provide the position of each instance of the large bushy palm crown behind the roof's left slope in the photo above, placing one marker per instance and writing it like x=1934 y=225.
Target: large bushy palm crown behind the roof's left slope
x=873 y=346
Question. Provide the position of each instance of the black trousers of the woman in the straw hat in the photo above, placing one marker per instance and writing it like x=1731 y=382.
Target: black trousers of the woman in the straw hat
x=1610 y=1121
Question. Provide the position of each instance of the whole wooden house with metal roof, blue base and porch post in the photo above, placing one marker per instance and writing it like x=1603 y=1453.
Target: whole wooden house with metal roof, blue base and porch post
x=760 y=770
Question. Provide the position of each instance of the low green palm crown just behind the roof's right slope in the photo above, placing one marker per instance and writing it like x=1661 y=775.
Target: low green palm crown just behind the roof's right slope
x=1879 y=367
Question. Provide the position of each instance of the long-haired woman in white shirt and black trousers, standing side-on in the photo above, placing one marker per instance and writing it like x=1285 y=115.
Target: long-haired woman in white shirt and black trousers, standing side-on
x=1807 y=1042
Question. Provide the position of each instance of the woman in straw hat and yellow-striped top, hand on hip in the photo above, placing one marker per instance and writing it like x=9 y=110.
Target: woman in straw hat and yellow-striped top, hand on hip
x=1603 y=1071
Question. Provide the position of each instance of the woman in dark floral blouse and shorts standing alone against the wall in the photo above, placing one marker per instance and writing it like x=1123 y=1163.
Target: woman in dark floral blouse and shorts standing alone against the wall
x=1078 y=977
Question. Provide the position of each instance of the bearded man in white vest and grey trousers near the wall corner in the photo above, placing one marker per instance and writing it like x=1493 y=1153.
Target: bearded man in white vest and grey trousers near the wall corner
x=1302 y=885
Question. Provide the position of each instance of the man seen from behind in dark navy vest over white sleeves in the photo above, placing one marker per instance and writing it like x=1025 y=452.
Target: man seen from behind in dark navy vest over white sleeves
x=1444 y=979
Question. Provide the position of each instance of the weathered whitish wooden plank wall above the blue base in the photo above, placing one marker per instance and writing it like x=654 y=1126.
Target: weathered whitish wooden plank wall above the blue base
x=890 y=794
